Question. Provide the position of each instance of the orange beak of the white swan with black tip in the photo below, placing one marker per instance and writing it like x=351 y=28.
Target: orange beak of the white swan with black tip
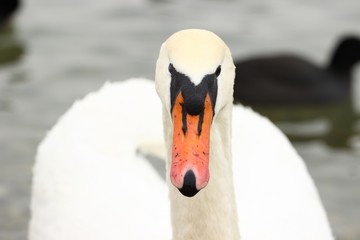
x=191 y=147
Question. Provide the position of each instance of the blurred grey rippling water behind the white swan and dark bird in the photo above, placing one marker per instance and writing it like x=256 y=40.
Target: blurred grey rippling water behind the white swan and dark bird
x=55 y=51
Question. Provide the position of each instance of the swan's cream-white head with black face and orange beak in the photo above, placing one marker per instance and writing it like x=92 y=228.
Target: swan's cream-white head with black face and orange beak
x=194 y=79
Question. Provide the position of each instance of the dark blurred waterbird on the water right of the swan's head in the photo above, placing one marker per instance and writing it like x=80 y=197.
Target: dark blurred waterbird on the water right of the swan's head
x=288 y=79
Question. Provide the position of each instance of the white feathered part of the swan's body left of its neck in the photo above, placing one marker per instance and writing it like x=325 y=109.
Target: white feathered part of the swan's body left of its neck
x=89 y=182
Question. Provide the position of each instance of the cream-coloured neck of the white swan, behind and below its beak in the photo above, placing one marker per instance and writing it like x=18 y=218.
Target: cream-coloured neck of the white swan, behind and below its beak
x=212 y=213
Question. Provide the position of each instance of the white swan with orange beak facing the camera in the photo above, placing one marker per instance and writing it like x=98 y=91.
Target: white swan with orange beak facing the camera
x=89 y=182
